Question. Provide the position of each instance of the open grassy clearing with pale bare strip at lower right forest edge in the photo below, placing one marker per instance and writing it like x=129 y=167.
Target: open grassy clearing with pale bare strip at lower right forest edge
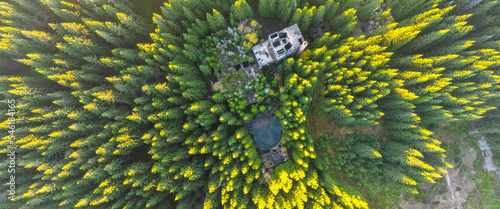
x=466 y=185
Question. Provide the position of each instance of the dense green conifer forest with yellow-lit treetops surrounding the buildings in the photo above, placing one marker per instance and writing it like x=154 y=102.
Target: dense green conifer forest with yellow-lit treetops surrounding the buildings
x=116 y=107
